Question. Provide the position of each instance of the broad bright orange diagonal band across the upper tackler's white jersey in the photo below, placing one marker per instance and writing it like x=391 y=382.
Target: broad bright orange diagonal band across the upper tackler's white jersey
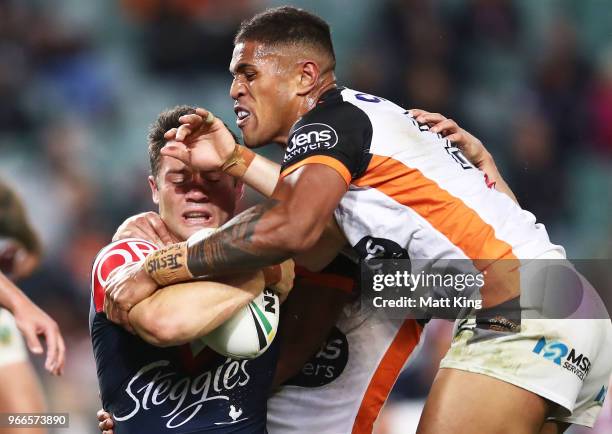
x=450 y=216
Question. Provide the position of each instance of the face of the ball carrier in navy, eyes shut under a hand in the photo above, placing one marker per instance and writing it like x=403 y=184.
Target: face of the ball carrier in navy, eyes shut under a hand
x=189 y=201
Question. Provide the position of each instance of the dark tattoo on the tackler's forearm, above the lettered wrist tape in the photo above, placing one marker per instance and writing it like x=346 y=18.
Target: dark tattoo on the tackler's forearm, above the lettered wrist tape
x=231 y=248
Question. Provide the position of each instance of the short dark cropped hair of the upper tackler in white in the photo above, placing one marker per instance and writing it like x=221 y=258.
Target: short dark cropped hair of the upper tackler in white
x=288 y=25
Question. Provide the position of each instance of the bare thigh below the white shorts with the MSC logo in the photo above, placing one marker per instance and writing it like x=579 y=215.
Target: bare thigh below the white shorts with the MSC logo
x=465 y=402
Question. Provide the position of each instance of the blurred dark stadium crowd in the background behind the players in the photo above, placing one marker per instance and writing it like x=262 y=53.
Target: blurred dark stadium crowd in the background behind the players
x=81 y=81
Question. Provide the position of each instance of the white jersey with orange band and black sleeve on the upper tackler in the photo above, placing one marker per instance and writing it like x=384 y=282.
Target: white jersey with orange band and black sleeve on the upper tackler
x=411 y=189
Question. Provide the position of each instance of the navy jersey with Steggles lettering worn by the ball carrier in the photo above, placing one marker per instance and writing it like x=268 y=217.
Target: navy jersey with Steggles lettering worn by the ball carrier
x=182 y=389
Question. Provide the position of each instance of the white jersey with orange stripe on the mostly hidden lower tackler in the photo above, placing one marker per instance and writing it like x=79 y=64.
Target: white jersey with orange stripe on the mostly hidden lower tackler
x=343 y=387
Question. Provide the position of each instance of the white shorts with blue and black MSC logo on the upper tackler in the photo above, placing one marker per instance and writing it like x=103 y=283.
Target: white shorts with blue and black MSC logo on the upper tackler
x=568 y=361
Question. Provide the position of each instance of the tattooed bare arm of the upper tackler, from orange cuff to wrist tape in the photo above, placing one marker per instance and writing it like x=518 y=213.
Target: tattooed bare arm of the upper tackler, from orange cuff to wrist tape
x=275 y=230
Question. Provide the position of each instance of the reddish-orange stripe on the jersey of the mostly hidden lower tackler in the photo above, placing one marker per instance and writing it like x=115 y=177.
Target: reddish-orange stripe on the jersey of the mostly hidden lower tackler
x=406 y=339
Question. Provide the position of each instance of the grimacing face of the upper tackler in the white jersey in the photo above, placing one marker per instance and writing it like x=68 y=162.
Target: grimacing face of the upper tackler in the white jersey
x=264 y=93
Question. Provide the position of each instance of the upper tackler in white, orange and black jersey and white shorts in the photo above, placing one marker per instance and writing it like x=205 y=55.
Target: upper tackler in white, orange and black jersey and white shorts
x=382 y=174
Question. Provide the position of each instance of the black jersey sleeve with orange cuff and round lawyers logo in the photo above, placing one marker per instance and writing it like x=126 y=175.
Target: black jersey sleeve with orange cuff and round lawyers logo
x=337 y=135
